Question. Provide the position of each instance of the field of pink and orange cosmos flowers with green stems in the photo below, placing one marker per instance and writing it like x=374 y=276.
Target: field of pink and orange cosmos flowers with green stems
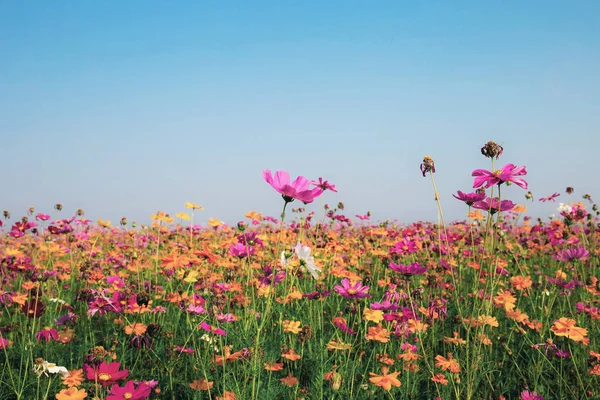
x=309 y=304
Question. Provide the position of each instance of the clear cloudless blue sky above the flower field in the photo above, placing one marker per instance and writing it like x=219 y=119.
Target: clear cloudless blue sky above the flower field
x=124 y=108
